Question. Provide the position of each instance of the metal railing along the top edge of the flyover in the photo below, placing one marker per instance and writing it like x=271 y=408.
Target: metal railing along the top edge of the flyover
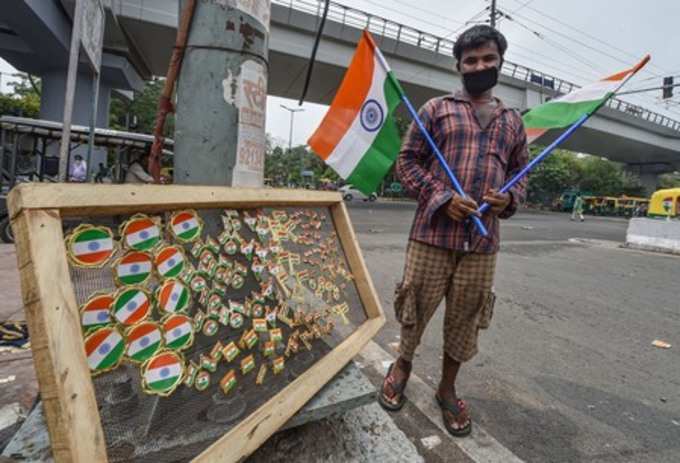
x=382 y=27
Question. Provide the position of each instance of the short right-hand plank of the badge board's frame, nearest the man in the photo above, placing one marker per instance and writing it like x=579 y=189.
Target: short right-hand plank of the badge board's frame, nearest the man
x=350 y=245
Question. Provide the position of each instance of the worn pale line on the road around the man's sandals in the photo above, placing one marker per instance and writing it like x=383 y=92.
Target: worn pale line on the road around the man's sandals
x=480 y=446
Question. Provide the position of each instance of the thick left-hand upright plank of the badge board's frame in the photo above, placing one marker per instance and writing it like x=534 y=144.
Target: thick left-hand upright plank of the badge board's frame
x=54 y=326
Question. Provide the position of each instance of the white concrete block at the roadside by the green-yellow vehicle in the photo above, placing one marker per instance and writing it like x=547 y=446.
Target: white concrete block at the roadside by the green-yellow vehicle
x=654 y=235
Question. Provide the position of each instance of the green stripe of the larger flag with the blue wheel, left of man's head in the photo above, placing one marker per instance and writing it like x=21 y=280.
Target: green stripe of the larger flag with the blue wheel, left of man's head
x=380 y=157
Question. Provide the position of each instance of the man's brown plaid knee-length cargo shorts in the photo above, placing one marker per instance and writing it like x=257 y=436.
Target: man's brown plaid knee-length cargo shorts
x=465 y=279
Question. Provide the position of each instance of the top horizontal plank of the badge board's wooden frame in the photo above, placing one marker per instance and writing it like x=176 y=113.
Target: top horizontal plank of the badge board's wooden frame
x=93 y=200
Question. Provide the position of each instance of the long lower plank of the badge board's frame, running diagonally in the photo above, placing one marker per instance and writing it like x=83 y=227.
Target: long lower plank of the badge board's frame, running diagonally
x=245 y=438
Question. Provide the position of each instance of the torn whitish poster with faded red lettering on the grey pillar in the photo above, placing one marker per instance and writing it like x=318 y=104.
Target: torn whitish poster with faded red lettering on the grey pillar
x=251 y=101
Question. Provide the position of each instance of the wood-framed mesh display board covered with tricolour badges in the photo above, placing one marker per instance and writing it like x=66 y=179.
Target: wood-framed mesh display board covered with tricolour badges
x=185 y=323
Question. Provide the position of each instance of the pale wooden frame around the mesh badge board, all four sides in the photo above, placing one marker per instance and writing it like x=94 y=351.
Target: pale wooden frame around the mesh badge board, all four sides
x=52 y=313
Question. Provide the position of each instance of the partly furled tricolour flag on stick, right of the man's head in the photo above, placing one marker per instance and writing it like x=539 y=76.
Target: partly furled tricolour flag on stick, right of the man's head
x=569 y=108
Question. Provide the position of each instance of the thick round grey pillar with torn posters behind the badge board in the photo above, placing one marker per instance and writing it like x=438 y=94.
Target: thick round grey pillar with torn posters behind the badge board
x=221 y=95
